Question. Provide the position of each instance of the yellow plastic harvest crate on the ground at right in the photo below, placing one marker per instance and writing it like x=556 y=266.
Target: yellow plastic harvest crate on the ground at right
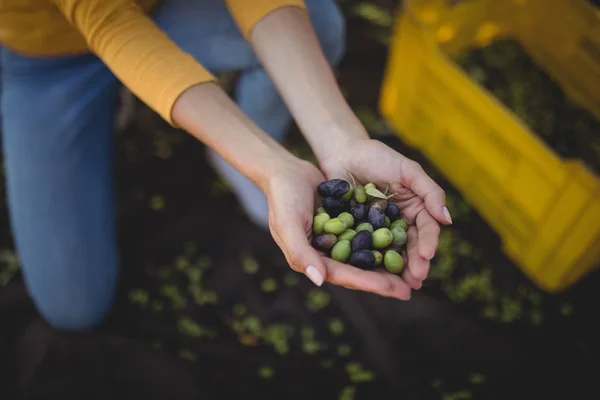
x=545 y=209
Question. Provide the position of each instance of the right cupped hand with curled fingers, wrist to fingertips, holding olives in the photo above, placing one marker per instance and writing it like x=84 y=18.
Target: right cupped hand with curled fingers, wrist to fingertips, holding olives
x=422 y=202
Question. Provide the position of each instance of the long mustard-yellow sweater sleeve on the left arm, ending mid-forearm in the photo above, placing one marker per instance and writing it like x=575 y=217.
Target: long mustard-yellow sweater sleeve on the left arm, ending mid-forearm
x=137 y=51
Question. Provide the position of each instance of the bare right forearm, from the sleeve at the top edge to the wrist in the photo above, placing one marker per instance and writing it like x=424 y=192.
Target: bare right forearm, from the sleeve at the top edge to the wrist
x=290 y=51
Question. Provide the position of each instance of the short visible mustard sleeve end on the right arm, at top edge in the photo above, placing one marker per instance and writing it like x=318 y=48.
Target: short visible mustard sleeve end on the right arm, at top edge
x=248 y=13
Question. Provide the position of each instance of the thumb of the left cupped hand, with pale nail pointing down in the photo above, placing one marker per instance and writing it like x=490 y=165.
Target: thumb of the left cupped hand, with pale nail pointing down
x=302 y=257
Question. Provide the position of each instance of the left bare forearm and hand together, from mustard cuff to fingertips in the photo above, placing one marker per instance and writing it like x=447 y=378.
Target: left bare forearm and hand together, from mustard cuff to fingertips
x=290 y=184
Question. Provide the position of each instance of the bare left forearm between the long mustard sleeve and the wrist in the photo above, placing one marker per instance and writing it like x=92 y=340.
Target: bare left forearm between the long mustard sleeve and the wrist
x=206 y=112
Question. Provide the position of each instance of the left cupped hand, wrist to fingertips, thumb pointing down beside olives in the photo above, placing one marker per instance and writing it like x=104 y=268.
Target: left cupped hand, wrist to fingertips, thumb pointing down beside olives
x=292 y=202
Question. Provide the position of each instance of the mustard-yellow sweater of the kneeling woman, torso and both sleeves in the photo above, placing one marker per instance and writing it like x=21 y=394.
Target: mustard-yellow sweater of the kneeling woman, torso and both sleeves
x=120 y=33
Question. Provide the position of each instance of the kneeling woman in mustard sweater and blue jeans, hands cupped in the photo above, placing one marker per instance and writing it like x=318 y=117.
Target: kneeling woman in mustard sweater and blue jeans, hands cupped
x=62 y=62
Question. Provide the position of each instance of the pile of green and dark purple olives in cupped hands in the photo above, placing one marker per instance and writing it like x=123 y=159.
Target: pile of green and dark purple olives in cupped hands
x=358 y=225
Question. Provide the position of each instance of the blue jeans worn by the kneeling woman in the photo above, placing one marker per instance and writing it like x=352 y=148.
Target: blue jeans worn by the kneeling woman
x=58 y=140
